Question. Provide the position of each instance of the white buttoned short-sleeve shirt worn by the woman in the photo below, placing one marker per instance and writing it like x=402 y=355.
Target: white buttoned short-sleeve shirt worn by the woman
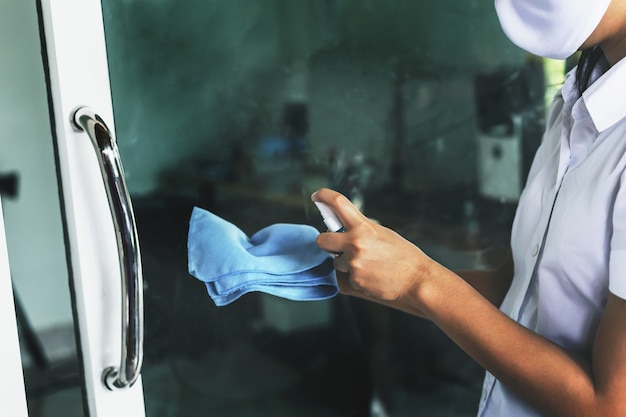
x=569 y=234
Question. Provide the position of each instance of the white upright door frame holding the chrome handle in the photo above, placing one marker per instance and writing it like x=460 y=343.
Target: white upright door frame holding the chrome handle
x=77 y=76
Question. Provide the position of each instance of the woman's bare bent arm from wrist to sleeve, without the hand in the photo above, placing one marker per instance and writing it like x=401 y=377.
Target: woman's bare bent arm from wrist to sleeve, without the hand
x=552 y=379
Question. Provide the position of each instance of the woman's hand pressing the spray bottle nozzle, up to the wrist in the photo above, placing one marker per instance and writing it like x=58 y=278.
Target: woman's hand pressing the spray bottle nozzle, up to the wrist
x=373 y=259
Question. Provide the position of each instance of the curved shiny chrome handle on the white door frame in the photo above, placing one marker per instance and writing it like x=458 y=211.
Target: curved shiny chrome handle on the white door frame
x=85 y=119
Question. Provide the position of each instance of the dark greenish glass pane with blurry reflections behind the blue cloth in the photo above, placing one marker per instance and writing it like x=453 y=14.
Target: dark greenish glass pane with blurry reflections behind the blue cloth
x=421 y=112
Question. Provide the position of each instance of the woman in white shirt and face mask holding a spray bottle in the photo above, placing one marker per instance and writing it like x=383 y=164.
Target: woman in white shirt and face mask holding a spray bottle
x=556 y=346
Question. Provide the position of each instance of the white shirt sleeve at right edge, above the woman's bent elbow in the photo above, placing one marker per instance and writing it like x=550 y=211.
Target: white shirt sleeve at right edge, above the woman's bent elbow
x=617 y=265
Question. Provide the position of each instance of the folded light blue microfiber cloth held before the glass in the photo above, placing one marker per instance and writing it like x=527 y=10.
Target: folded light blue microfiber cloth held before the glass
x=282 y=259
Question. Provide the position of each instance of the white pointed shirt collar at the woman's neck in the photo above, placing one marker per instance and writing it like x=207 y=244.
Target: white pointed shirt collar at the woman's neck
x=604 y=99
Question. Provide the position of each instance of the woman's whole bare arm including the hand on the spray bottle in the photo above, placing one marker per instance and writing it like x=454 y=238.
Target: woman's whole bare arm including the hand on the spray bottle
x=379 y=264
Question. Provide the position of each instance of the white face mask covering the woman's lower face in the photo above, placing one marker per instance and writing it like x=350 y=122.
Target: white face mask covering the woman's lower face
x=550 y=28
